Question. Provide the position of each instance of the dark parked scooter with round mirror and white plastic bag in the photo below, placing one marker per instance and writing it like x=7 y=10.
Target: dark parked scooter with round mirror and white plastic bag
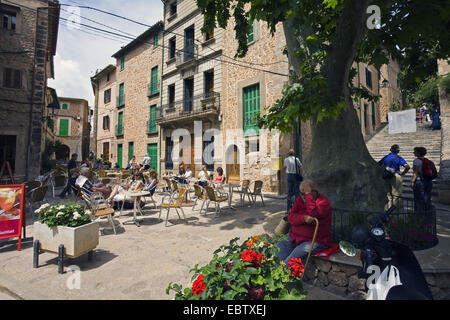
x=391 y=269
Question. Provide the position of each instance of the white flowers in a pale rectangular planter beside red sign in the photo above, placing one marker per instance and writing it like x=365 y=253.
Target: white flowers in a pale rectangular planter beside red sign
x=67 y=224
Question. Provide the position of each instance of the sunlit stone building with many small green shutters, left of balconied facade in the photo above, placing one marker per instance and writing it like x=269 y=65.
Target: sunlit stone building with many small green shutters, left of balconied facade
x=127 y=97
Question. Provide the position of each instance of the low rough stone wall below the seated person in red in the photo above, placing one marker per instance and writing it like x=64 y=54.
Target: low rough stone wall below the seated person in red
x=342 y=279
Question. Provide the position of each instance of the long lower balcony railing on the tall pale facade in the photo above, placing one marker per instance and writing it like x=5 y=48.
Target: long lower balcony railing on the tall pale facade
x=197 y=105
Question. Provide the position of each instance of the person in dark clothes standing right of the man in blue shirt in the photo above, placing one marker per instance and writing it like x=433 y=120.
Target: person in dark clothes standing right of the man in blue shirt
x=421 y=187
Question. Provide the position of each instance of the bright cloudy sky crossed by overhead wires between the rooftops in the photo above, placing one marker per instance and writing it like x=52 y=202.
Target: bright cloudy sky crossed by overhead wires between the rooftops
x=79 y=54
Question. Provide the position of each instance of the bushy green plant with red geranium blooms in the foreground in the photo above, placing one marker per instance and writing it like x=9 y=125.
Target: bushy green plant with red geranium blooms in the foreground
x=249 y=271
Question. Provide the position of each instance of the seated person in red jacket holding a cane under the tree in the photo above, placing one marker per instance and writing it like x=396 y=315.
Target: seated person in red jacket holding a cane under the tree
x=312 y=205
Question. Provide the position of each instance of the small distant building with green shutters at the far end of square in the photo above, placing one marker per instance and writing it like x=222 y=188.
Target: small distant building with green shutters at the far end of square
x=71 y=128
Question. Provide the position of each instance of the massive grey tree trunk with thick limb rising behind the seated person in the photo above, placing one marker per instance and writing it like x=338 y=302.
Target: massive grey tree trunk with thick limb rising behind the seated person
x=339 y=162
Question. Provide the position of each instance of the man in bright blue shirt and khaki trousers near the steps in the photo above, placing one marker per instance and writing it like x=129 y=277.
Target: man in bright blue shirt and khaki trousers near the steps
x=395 y=184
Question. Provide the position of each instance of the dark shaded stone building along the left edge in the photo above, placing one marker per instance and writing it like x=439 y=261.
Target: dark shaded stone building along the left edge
x=28 y=37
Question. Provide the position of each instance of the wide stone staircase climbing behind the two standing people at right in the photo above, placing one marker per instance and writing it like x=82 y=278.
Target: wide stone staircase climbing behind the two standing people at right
x=381 y=142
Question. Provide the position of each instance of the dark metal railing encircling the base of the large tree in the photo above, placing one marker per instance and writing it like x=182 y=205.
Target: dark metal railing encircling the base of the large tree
x=407 y=225
